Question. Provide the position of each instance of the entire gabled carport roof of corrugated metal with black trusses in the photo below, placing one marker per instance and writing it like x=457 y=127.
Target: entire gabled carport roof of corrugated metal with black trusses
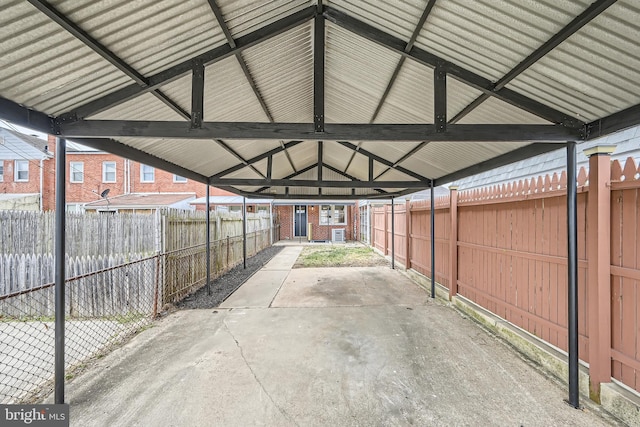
x=329 y=98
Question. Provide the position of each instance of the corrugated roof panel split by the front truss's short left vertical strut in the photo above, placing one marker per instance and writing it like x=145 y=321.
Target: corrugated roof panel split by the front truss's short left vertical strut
x=227 y=94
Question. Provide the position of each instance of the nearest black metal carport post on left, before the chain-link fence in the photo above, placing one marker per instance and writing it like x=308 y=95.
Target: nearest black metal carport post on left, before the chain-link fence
x=61 y=148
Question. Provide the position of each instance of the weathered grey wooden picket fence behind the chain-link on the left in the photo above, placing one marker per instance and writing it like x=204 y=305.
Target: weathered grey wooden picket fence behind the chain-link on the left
x=181 y=266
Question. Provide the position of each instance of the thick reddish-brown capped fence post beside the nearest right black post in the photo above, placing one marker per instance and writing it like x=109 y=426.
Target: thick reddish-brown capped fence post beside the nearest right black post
x=599 y=268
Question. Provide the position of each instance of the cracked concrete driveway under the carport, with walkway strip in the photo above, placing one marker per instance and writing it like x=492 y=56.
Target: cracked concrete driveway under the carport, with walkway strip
x=319 y=347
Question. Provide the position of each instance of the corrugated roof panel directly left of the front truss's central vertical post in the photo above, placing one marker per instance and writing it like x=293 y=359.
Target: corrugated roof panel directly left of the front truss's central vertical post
x=282 y=68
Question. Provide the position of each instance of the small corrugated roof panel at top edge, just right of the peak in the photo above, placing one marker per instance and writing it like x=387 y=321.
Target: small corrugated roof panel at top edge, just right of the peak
x=394 y=17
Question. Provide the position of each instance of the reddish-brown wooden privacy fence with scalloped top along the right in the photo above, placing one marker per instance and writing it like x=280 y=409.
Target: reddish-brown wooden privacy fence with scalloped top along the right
x=510 y=257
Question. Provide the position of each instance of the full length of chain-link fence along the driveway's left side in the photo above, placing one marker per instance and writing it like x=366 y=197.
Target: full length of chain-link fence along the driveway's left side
x=107 y=299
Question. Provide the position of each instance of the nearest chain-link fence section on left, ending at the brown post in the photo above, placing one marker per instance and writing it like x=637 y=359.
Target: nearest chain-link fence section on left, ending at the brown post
x=102 y=308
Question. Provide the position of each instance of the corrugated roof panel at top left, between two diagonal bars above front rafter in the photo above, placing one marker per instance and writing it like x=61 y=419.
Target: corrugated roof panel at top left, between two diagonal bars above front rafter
x=148 y=35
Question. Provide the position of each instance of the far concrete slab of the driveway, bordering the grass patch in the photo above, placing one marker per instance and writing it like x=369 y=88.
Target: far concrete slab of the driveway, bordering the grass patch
x=356 y=286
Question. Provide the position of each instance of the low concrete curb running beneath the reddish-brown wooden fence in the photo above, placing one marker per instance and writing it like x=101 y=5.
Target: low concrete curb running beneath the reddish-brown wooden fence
x=616 y=400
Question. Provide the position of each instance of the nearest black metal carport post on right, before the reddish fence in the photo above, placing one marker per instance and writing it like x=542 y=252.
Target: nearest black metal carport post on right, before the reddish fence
x=572 y=267
